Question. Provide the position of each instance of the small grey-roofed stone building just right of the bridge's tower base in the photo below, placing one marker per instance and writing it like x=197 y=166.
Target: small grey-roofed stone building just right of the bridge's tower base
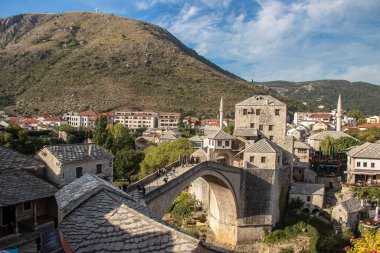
x=312 y=195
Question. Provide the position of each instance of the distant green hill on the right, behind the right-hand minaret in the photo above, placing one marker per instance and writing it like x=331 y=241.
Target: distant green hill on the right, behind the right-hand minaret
x=355 y=95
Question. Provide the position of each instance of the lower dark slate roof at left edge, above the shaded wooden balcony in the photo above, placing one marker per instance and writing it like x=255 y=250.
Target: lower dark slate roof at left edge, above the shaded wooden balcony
x=18 y=186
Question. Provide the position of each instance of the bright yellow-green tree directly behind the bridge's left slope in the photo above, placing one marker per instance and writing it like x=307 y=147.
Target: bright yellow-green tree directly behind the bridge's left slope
x=163 y=154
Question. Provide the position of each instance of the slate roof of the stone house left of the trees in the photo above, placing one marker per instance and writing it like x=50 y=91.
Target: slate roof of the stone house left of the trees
x=78 y=152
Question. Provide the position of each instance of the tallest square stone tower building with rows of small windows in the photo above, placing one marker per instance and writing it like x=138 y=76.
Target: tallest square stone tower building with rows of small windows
x=264 y=113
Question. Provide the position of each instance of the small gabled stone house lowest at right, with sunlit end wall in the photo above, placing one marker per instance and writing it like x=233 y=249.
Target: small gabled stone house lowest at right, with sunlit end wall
x=347 y=212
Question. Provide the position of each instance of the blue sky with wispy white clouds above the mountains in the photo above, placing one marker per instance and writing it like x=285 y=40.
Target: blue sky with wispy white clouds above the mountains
x=263 y=40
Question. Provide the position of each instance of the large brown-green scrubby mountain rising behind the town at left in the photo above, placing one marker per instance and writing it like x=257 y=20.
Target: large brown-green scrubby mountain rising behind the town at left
x=73 y=61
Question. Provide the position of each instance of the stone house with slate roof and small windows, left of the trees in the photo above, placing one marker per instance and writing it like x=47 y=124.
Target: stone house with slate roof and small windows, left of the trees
x=70 y=161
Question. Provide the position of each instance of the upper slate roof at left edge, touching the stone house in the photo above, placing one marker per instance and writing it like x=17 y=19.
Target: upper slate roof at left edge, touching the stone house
x=10 y=158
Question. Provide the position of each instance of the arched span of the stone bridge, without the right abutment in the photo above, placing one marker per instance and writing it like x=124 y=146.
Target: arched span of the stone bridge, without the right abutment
x=223 y=197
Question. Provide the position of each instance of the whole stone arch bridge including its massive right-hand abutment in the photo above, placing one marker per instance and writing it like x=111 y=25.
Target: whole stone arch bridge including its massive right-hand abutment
x=241 y=202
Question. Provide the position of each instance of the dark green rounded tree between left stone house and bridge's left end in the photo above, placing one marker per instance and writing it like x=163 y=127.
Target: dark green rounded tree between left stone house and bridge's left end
x=127 y=163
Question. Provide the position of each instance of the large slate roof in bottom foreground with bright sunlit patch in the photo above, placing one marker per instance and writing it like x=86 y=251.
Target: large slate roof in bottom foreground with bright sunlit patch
x=109 y=220
